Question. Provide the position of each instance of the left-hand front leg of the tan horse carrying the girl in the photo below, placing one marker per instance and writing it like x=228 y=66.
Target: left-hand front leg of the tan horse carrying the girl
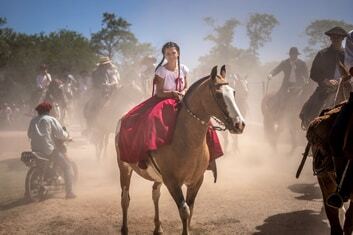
x=177 y=194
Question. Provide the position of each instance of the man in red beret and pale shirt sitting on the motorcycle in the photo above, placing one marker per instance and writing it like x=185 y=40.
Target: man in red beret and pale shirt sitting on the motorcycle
x=44 y=131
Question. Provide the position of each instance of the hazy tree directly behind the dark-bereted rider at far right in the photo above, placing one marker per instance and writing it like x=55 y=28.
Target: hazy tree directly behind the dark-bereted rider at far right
x=316 y=37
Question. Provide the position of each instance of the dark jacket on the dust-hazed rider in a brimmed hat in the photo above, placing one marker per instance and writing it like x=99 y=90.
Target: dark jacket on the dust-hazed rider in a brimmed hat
x=301 y=72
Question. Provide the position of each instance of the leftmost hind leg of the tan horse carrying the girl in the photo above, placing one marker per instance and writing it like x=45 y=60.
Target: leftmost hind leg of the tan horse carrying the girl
x=125 y=177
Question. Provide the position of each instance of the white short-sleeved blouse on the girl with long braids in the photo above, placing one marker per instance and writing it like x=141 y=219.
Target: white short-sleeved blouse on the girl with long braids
x=170 y=77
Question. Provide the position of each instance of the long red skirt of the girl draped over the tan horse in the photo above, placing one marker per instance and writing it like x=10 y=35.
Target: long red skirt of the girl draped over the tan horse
x=150 y=125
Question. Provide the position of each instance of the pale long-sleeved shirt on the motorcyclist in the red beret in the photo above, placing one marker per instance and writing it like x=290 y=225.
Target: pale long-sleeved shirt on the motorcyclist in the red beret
x=43 y=131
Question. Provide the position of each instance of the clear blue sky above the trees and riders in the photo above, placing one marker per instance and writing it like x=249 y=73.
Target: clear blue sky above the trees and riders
x=159 y=21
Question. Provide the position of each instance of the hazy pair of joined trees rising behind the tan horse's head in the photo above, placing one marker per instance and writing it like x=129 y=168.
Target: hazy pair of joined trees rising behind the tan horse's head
x=223 y=50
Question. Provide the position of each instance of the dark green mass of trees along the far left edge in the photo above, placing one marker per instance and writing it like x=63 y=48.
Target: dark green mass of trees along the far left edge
x=22 y=54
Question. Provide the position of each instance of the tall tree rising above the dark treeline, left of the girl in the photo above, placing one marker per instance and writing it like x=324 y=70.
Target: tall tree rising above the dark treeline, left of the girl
x=115 y=32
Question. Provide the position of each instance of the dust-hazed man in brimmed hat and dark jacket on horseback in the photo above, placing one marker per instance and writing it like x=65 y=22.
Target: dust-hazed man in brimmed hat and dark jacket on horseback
x=295 y=77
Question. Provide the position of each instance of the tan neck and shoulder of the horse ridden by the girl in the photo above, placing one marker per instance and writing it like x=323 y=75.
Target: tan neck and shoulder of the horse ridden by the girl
x=189 y=132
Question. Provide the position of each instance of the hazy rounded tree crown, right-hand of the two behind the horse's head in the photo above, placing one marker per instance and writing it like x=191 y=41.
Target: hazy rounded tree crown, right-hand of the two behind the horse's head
x=259 y=29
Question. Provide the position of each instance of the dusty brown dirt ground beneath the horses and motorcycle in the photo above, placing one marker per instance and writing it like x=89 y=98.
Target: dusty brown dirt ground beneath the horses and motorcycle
x=256 y=193
